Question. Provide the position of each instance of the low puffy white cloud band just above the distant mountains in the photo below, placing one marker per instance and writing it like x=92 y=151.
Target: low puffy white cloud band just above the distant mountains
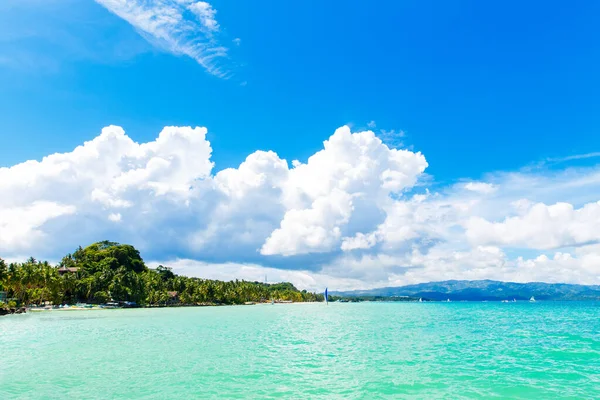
x=481 y=262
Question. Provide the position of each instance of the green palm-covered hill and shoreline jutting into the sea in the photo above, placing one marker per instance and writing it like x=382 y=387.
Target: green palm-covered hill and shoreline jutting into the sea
x=108 y=271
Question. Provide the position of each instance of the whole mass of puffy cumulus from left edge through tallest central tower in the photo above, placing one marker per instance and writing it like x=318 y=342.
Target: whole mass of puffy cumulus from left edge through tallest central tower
x=165 y=191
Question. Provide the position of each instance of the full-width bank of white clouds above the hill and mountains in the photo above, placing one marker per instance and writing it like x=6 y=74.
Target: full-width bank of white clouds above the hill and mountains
x=356 y=214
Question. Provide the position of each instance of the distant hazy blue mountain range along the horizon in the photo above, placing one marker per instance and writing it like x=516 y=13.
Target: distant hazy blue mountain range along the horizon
x=482 y=290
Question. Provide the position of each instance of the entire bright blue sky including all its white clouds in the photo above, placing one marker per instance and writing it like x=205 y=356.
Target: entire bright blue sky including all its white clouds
x=338 y=144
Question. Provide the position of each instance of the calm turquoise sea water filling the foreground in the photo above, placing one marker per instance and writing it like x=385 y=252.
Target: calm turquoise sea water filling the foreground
x=523 y=350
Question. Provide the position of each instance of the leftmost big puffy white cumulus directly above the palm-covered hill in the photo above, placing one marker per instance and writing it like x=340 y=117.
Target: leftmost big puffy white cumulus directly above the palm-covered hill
x=79 y=195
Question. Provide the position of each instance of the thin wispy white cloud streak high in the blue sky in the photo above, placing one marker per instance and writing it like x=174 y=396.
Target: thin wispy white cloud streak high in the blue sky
x=165 y=23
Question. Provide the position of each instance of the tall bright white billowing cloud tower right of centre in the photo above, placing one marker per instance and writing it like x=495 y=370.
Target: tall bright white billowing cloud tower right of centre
x=322 y=195
